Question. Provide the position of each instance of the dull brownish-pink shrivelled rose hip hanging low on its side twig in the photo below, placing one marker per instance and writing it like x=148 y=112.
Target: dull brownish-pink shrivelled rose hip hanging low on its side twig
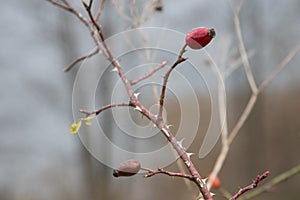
x=127 y=168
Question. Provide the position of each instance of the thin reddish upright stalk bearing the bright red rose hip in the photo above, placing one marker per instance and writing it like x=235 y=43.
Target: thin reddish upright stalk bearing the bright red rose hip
x=166 y=77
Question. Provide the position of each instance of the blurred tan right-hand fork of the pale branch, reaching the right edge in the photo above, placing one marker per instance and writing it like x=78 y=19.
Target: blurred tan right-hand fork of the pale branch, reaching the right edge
x=279 y=68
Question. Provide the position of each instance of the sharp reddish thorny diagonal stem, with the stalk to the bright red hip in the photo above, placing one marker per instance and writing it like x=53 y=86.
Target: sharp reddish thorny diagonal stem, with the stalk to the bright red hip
x=99 y=39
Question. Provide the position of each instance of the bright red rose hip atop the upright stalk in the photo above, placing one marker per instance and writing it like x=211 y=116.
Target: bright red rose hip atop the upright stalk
x=199 y=37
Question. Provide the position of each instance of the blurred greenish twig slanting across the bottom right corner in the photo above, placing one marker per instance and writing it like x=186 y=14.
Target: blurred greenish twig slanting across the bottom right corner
x=278 y=179
